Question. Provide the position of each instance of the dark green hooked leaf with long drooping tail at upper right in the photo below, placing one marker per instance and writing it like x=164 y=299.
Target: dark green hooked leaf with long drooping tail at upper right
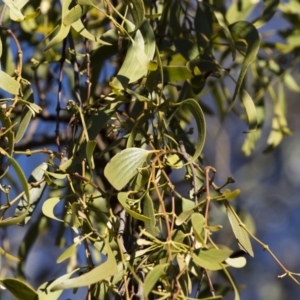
x=246 y=34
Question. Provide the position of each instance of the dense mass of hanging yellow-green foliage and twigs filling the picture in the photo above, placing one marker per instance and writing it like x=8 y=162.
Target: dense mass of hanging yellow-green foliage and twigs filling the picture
x=118 y=138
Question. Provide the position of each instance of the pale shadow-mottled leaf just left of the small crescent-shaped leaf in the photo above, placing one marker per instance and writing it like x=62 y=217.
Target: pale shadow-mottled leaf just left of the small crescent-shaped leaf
x=28 y=203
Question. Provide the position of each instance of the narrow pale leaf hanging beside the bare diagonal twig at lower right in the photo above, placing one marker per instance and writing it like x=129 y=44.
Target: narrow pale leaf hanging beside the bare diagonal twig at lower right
x=240 y=233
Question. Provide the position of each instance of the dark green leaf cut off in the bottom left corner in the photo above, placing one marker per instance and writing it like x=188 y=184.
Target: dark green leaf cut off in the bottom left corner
x=20 y=289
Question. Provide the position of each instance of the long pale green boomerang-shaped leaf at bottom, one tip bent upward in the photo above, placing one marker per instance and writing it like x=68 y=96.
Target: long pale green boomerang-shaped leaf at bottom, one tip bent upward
x=99 y=273
